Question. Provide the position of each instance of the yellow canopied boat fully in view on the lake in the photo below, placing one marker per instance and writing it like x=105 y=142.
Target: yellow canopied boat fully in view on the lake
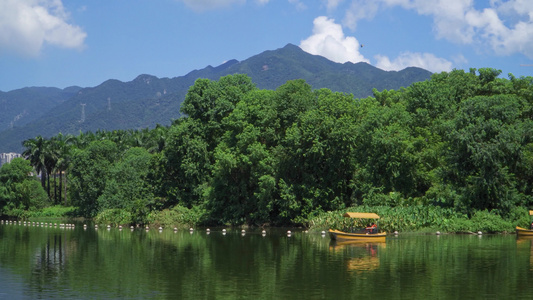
x=364 y=235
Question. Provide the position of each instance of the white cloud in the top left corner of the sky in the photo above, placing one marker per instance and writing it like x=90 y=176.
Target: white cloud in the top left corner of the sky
x=26 y=25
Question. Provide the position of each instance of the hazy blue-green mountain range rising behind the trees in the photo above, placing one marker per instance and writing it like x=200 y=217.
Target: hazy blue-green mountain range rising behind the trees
x=148 y=100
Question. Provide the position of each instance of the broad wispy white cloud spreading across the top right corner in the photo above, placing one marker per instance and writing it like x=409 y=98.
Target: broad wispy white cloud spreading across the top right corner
x=505 y=27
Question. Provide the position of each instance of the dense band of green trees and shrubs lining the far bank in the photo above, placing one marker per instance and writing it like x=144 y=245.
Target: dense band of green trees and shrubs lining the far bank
x=453 y=153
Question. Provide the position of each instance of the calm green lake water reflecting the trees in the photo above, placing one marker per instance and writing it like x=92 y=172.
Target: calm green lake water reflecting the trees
x=76 y=263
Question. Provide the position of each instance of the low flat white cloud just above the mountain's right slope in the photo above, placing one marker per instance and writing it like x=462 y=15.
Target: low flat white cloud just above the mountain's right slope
x=426 y=61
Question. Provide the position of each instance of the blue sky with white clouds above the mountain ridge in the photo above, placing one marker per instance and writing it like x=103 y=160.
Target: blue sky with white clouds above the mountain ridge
x=62 y=43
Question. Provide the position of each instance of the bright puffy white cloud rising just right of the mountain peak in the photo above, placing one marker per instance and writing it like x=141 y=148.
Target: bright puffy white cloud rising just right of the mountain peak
x=328 y=40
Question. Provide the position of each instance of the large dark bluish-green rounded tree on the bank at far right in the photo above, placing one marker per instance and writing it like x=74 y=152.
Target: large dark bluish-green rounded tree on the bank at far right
x=487 y=138
